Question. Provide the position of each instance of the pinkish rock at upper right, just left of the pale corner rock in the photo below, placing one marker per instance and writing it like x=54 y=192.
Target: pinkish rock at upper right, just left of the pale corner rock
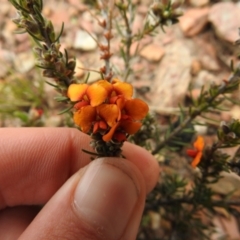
x=193 y=21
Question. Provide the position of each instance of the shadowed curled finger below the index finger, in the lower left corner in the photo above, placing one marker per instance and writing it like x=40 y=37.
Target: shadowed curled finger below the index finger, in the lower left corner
x=13 y=221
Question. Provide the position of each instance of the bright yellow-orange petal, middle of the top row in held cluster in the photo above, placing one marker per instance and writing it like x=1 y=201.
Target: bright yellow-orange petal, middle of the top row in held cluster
x=98 y=92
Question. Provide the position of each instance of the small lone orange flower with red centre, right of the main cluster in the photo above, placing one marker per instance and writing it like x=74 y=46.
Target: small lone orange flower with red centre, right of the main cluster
x=197 y=152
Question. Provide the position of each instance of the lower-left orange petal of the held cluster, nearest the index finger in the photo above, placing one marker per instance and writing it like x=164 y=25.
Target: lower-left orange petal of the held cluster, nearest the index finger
x=84 y=118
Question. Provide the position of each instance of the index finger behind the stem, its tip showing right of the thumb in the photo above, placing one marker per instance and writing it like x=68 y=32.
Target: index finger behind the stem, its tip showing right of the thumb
x=35 y=162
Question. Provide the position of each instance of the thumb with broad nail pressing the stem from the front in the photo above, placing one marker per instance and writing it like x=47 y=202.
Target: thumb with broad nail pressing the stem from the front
x=104 y=200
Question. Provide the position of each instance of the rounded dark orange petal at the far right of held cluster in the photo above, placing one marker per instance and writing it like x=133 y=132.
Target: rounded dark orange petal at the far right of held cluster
x=136 y=108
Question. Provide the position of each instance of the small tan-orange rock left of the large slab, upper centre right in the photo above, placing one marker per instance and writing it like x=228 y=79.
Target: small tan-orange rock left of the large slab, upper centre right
x=152 y=52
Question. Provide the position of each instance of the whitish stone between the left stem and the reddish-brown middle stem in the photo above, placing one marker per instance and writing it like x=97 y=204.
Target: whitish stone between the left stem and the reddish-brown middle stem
x=84 y=41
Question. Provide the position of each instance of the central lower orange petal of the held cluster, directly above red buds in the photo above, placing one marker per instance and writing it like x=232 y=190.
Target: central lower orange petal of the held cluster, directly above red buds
x=109 y=112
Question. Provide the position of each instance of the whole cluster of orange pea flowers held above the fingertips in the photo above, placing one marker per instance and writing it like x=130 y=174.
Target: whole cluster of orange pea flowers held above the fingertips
x=107 y=108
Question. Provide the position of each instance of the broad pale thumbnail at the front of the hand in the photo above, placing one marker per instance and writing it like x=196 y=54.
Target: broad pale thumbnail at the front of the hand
x=106 y=195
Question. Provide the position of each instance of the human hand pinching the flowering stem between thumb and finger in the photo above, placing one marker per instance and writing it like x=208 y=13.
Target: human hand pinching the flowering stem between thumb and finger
x=103 y=199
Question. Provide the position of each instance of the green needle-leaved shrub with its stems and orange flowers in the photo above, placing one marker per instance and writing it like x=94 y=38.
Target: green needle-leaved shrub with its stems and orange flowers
x=180 y=201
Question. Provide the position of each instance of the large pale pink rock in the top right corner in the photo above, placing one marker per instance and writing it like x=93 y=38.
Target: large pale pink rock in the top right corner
x=225 y=18
